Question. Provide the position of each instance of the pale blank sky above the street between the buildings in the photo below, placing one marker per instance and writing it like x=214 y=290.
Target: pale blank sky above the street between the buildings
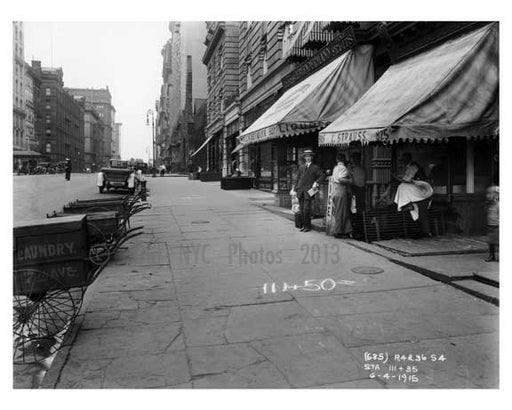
x=124 y=56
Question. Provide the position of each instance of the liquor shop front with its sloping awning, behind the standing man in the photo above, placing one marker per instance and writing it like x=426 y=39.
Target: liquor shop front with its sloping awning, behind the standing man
x=276 y=139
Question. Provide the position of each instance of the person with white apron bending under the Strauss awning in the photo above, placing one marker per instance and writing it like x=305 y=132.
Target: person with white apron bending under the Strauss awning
x=415 y=193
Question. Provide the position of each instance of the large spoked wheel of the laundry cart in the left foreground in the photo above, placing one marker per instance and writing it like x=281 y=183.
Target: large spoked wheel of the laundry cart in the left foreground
x=40 y=317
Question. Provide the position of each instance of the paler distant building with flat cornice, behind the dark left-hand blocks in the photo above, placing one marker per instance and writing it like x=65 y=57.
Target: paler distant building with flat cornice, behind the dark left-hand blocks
x=101 y=101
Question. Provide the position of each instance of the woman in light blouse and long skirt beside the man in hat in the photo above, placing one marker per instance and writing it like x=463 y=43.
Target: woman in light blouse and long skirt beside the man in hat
x=341 y=197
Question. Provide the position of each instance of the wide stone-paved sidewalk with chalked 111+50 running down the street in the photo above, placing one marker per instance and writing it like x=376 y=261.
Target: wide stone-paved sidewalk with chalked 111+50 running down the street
x=220 y=293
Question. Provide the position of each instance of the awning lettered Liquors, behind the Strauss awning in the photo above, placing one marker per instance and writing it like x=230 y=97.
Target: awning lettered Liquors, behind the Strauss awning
x=316 y=101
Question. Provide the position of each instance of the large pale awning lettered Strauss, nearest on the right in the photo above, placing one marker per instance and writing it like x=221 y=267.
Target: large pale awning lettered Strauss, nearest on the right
x=451 y=90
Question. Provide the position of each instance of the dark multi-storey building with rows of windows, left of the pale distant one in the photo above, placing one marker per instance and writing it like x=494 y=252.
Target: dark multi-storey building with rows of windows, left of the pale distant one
x=59 y=125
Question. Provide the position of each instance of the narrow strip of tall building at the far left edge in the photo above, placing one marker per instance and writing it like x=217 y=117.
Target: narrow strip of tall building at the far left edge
x=18 y=105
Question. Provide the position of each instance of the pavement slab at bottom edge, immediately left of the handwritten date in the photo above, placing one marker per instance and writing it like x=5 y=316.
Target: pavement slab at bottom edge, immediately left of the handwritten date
x=310 y=359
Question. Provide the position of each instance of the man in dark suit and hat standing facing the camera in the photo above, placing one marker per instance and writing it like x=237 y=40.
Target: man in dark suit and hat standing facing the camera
x=309 y=176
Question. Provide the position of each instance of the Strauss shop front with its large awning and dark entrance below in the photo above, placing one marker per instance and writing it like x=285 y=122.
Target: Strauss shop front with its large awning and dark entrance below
x=442 y=107
